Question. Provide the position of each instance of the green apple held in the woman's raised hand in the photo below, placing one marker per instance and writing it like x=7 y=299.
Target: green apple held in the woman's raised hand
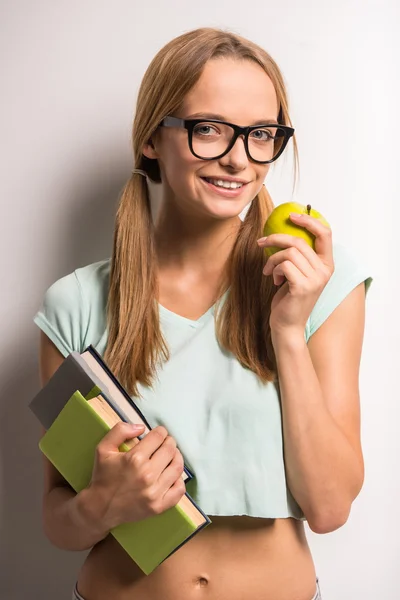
x=280 y=222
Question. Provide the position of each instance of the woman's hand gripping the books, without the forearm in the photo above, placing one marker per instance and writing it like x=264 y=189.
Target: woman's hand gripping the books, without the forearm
x=137 y=484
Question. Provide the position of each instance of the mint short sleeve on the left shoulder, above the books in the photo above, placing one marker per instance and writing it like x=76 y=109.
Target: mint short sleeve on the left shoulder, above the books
x=62 y=314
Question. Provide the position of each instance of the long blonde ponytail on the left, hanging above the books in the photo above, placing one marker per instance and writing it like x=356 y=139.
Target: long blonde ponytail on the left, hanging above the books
x=135 y=344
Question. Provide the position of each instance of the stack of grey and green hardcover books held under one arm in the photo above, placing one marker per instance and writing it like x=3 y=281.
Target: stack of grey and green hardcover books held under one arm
x=79 y=404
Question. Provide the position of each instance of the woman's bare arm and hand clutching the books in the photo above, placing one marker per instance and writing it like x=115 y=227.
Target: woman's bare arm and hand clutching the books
x=125 y=486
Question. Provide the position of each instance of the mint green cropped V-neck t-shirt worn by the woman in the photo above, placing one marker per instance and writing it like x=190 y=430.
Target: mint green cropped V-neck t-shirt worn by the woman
x=227 y=424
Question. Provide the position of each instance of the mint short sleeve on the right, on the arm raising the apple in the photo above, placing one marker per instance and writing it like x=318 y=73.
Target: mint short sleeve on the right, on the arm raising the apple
x=349 y=272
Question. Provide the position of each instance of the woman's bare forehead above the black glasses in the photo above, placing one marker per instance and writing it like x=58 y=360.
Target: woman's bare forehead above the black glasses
x=239 y=90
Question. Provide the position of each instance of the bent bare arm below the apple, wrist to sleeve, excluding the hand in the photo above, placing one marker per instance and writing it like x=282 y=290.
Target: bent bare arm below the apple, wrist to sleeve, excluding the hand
x=321 y=413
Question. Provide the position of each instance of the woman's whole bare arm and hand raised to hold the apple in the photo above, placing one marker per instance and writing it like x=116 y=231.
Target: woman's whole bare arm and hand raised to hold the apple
x=318 y=381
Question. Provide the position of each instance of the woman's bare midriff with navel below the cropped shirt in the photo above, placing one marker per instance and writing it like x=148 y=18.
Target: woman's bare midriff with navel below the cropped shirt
x=234 y=558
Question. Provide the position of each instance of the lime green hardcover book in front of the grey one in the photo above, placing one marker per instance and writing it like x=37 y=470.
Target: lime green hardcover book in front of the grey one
x=70 y=444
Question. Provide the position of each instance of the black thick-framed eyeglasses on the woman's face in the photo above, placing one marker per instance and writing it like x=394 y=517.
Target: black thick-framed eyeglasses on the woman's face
x=210 y=139
